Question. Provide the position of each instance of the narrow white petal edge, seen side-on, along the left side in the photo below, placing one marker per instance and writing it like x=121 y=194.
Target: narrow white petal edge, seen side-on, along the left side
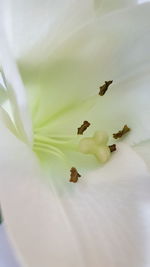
x=14 y=88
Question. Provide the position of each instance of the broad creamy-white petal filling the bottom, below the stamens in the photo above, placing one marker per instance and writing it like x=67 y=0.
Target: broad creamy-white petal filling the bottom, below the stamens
x=96 y=222
